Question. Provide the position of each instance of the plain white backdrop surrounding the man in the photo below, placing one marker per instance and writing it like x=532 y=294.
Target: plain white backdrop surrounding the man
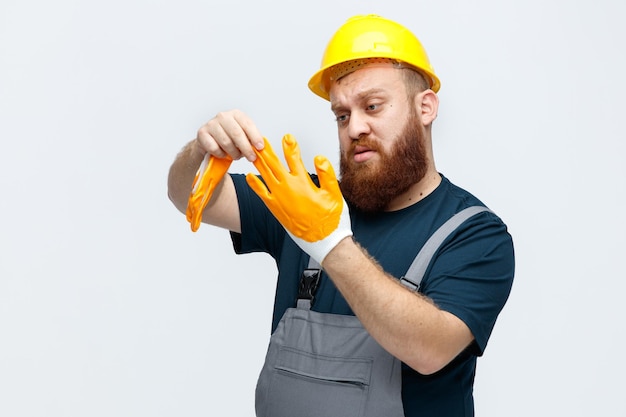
x=111 y=306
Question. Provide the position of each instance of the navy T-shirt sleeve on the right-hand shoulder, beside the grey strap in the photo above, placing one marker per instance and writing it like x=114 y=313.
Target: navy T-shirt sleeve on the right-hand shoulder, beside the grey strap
x=472 y=274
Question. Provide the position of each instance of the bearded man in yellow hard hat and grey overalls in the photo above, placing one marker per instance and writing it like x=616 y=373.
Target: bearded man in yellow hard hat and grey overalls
x=382 y=91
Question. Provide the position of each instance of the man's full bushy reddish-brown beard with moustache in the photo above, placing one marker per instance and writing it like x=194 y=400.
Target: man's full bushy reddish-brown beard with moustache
x=372 y=185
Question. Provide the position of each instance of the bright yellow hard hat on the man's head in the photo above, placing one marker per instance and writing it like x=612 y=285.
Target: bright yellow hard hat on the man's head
x=364 y=38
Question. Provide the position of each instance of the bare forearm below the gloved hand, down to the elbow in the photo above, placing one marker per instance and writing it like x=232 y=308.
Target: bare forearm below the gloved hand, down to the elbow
x=406 y=324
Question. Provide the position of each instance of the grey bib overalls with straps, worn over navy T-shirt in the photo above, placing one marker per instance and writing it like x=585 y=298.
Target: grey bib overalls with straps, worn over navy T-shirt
x=327 y=365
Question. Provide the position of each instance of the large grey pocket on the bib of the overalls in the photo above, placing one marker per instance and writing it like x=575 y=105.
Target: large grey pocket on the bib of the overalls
x=311 y=385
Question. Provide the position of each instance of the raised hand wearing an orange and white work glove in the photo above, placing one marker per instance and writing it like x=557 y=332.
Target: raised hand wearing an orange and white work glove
x=316 y=218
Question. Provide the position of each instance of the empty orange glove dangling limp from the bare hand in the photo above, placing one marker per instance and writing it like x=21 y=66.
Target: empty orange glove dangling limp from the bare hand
x=209 y=174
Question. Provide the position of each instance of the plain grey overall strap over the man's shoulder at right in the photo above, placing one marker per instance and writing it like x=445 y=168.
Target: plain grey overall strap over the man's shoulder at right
x=413 y=277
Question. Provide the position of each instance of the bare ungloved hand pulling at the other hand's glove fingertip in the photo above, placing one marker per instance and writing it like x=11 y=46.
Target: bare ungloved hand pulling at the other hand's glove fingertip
x=232 y=134
